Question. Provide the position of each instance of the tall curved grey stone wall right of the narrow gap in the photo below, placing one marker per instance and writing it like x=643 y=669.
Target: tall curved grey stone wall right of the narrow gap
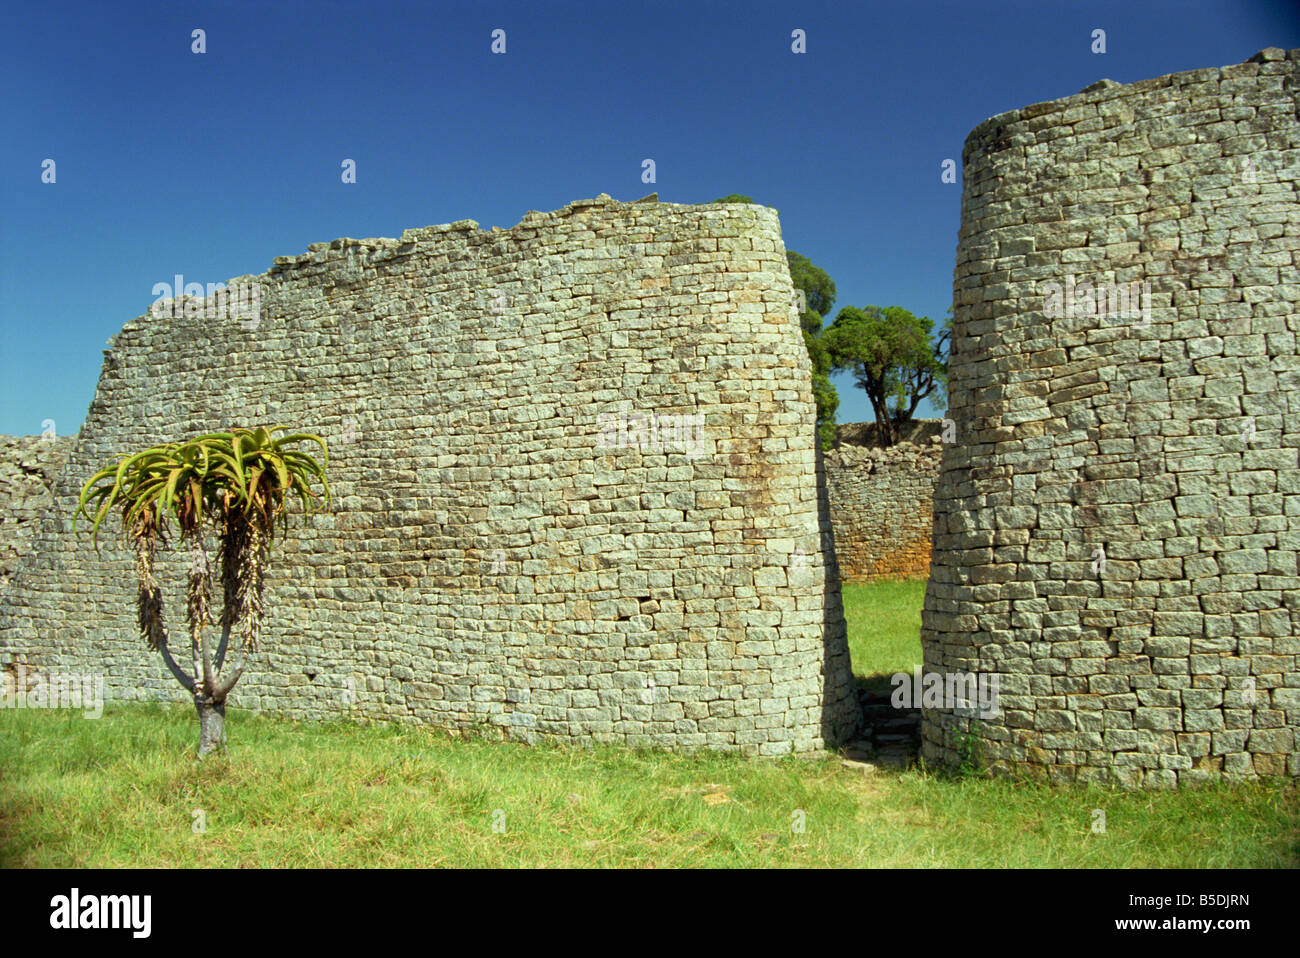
x=1119 y=522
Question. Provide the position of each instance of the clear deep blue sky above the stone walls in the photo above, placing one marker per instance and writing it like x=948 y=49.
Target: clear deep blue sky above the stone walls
x=213 y=164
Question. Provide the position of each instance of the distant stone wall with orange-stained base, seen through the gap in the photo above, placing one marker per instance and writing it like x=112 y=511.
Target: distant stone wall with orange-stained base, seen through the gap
x=882 y=505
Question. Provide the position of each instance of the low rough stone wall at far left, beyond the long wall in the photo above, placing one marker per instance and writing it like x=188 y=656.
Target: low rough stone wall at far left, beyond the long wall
x=28 y=469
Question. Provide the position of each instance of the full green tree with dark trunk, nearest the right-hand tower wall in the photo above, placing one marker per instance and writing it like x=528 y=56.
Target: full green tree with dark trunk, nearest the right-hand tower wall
x=894 y=359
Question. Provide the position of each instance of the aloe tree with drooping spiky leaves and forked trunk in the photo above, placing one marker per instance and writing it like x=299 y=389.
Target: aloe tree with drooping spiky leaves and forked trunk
x=236 y=484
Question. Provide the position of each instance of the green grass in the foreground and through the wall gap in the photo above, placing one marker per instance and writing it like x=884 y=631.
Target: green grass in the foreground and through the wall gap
x=125 y=791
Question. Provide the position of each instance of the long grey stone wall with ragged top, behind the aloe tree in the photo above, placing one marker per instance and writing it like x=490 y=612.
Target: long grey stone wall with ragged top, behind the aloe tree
x=577 y=487
